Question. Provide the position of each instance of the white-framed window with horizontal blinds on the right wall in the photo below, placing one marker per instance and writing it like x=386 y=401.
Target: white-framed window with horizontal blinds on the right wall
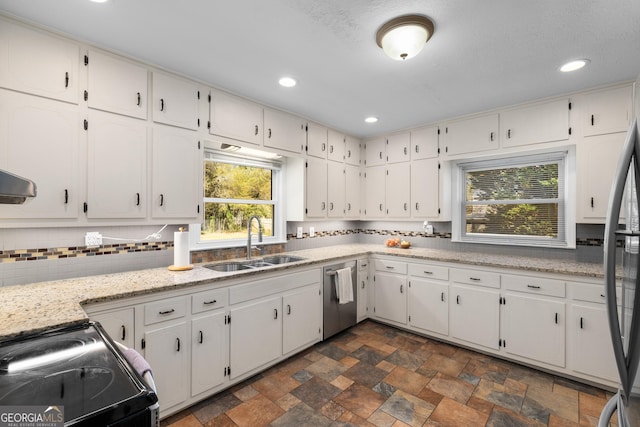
x=523 y=200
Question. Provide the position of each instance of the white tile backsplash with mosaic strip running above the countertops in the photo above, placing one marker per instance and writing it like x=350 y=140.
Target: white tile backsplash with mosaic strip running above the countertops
x=34 y=255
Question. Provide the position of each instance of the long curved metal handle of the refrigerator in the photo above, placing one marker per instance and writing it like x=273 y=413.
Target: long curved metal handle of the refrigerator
x=627 y=367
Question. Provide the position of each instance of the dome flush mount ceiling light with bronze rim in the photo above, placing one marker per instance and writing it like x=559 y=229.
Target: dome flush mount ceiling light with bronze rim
x=405 y=36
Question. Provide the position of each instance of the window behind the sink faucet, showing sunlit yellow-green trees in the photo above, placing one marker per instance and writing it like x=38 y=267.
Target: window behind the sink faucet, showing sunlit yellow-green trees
x=236 y=187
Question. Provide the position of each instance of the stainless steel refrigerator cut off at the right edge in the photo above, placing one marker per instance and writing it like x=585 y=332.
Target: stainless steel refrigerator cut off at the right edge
x=622 y=241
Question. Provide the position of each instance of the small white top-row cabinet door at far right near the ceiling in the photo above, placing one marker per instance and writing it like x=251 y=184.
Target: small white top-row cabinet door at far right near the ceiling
x=607 y=111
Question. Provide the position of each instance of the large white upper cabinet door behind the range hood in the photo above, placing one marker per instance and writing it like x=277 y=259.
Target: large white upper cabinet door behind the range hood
x=40 y=140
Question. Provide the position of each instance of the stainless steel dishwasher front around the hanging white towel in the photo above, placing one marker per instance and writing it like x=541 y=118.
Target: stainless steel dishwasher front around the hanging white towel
x=337 y=317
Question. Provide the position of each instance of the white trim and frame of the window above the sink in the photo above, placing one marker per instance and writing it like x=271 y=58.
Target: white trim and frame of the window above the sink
x=278 y=180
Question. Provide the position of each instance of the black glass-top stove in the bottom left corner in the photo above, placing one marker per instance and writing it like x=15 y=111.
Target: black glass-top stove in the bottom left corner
x=80 y=370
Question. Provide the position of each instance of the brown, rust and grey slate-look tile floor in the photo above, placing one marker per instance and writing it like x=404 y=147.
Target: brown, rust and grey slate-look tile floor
x=376 y=375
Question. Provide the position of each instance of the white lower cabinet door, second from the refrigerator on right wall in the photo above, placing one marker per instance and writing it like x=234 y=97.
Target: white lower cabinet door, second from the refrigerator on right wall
x=534 y=328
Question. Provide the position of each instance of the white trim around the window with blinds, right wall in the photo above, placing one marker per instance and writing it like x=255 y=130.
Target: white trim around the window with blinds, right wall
x=566 y=173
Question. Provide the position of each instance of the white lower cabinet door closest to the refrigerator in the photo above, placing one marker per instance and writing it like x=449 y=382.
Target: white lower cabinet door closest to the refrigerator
x=592 y=349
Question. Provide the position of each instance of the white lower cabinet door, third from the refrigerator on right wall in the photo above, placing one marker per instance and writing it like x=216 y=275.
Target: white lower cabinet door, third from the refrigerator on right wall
x=475 y=316
